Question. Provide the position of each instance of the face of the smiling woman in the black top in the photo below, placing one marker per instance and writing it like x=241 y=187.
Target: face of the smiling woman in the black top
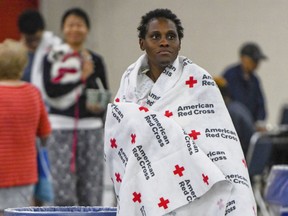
x=75 y=30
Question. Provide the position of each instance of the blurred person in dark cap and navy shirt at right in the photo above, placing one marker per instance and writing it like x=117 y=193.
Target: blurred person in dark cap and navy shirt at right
x=244 y=84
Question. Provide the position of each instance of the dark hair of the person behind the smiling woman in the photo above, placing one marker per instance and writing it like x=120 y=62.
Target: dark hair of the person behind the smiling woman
x=30 y=21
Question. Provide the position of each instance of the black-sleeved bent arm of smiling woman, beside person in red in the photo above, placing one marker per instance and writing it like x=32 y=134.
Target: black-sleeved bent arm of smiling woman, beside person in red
x=55 y=89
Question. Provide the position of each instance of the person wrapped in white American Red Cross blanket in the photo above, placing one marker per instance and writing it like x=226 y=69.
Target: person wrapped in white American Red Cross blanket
x=170 y=144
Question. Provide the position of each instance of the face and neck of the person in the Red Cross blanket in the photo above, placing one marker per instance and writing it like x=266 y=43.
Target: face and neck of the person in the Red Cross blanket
x=162 y=45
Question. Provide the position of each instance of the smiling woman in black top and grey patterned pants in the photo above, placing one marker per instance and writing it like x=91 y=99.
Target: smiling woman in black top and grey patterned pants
x=76 y=144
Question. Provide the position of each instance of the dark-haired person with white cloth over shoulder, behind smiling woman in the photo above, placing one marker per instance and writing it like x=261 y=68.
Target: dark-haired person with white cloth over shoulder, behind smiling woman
x=38 y=42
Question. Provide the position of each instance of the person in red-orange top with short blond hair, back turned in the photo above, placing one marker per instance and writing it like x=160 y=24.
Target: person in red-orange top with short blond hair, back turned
x=22 y=117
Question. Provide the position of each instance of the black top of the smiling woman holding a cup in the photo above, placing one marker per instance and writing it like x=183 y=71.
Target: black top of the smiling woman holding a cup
x=54 y=90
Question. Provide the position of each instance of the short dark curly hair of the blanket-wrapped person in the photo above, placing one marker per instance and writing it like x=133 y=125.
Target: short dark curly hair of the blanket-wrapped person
x=159 y=13
